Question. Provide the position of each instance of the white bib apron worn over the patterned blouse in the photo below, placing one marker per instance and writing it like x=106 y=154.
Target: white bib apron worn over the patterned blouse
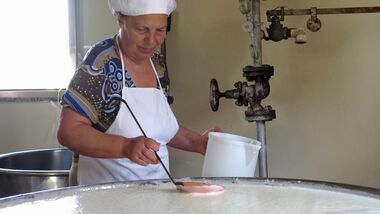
x=152 y=111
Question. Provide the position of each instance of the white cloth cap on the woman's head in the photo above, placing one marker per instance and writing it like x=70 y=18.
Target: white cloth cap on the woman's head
x=141 y=7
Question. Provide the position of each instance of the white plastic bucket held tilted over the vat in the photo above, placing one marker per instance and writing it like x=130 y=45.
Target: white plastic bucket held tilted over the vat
x=229 y=155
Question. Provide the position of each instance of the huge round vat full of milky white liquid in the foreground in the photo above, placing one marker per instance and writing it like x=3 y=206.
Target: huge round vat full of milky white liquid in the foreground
x=243 y=195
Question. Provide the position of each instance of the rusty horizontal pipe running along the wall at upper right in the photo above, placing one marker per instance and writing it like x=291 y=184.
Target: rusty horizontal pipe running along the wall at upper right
x=325 y=11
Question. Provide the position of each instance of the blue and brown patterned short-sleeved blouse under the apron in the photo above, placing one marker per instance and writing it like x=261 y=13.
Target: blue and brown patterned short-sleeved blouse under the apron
x=98 y=80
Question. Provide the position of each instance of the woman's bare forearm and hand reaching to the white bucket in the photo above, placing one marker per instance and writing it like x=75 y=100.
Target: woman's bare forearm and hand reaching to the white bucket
x=188 y=140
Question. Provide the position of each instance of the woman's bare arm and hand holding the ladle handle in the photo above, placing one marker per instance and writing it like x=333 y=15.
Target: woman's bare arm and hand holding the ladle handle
x=76 y=133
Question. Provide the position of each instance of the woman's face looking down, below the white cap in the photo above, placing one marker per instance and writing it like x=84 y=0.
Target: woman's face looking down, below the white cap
x=142 y=35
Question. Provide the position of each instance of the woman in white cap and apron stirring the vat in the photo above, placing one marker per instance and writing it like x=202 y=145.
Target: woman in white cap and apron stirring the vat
x=96 y=125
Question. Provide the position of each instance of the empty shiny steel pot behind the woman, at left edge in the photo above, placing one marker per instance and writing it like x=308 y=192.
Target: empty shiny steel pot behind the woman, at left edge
x=34 y=170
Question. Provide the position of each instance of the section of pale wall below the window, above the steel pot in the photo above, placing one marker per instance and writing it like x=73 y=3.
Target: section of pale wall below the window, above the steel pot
x=25 y=126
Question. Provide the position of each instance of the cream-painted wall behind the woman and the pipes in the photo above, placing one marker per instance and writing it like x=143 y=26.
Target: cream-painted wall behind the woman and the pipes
x=324 y=92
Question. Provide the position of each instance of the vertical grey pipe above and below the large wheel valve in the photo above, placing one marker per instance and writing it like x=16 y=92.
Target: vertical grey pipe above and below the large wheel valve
x=256 y=50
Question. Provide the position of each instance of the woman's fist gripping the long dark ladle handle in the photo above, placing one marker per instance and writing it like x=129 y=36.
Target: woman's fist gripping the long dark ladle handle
x=141 y=150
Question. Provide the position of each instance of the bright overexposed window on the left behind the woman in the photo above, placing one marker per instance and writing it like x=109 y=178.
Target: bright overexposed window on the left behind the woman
x=35 y=51
